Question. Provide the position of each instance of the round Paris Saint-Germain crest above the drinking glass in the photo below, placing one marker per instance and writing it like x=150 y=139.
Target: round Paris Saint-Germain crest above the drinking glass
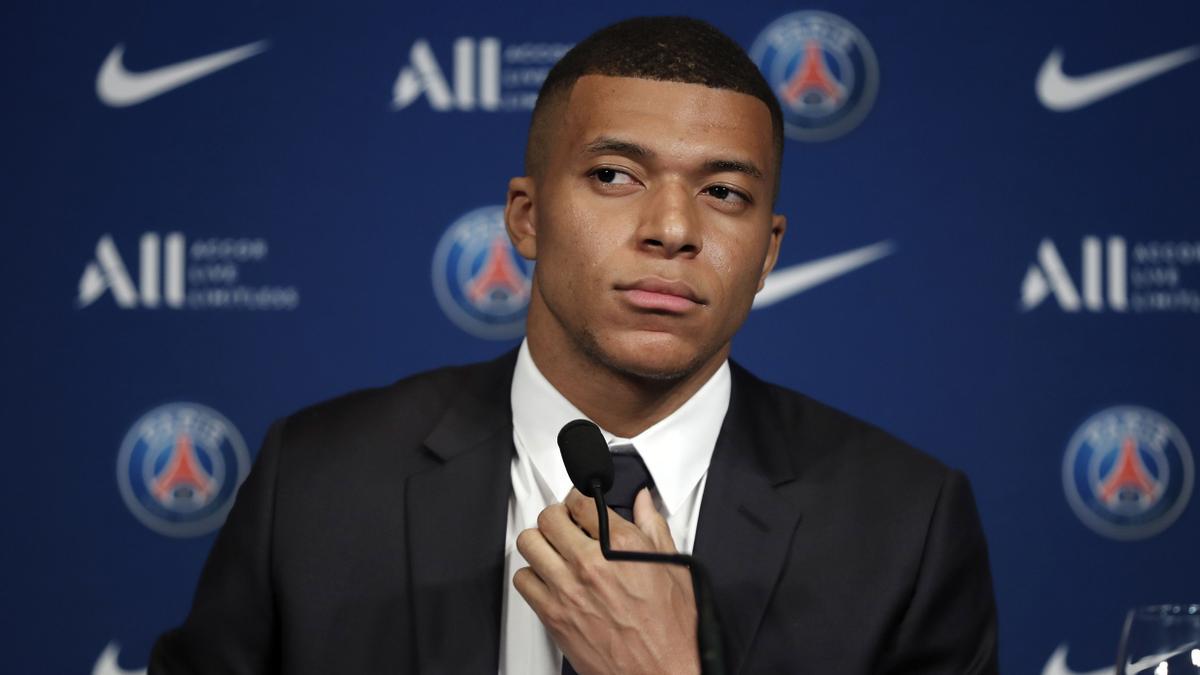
x=1129 y=473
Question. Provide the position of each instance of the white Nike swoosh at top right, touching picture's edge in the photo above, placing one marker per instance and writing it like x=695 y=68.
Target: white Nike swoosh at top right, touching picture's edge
x=1063 y=93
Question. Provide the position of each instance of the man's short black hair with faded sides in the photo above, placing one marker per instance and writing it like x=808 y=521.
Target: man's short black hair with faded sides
x=665 y=49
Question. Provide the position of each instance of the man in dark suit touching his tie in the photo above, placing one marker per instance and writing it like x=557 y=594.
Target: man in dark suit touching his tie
x=430 y=527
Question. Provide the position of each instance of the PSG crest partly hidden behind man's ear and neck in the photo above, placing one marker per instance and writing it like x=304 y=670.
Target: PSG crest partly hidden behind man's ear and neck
x=479 y=279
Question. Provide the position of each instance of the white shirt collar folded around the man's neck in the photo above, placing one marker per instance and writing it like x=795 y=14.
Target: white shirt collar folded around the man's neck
x=676 y=450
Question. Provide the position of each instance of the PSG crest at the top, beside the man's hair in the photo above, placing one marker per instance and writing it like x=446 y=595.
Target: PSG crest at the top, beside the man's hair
x=823 y=70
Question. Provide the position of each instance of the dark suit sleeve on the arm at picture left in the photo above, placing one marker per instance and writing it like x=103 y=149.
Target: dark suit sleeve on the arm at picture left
x=232 y=628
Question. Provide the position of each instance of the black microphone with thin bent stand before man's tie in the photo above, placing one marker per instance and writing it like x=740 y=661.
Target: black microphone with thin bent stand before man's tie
x=590 y=465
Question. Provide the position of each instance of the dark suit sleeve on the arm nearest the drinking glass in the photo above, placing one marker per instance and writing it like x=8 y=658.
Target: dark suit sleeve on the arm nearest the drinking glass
x=950 y=628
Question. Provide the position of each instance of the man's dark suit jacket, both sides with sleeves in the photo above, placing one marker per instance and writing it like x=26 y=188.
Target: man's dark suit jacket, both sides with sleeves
x=369 y=539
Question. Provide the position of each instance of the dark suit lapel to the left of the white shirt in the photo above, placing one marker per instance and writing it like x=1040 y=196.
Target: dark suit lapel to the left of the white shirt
x=458 y=515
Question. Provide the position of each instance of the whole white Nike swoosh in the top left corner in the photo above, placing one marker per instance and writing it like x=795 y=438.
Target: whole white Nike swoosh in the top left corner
x=119 y=88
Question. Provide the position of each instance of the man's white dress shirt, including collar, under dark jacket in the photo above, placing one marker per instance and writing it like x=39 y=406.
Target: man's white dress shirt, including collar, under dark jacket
x=676 y=451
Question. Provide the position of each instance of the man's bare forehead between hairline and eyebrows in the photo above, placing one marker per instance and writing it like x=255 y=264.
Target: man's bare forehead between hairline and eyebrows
x=662 y=114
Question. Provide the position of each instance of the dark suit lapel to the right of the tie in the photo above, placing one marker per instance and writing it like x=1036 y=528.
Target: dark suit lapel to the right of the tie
x=748 y=516
